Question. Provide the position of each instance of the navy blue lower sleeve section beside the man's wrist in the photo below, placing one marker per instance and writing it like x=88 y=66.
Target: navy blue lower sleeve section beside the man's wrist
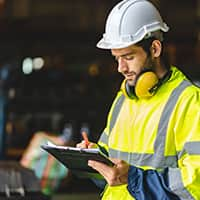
x=149 y=184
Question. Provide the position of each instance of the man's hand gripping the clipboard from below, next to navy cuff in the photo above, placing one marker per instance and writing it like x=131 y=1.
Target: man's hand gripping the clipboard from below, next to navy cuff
x=116 y=175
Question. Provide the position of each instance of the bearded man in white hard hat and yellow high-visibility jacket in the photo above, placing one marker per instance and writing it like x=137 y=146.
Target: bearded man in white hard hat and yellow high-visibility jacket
x=153 y=128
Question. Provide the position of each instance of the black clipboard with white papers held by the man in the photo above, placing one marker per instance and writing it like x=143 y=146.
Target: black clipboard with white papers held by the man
x=76 y=159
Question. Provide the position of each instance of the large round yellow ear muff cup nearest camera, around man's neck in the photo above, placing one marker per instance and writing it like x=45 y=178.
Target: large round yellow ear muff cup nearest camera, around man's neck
x=146 y=84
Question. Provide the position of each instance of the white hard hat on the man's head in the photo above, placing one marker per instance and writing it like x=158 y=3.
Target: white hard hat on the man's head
x=129 y=22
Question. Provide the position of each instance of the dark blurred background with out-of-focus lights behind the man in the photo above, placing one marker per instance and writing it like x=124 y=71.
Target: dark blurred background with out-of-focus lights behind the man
x=51 y=73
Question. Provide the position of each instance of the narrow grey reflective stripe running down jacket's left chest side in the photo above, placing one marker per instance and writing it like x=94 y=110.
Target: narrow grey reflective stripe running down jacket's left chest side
x=116 y=110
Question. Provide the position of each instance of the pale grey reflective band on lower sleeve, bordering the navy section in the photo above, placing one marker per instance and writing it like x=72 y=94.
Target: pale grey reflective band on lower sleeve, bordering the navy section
x=176 y=184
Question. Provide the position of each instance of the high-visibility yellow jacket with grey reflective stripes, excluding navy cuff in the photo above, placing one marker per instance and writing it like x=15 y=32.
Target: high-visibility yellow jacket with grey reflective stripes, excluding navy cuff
x=158 y=133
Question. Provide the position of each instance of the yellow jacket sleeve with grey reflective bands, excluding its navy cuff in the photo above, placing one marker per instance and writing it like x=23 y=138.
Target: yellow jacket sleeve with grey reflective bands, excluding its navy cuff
x=185 y=179
